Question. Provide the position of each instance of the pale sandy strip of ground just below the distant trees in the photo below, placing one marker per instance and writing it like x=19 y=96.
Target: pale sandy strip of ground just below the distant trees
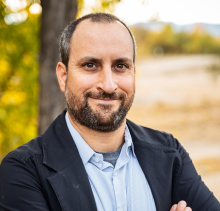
x=178 y=79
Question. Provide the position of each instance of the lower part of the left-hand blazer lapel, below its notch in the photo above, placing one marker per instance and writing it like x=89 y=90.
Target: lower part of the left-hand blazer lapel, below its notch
x=72 y=188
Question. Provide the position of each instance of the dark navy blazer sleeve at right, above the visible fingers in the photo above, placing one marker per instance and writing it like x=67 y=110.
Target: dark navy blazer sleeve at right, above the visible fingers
x=190 y=187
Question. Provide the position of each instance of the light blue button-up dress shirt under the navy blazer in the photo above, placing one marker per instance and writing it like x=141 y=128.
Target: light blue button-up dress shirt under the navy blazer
x=123 y=188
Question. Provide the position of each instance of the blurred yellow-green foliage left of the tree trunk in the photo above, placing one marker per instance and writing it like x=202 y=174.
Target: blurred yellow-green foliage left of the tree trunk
x=18 y=81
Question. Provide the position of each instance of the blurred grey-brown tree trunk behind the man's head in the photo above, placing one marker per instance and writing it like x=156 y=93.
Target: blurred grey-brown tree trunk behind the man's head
x=56 y=15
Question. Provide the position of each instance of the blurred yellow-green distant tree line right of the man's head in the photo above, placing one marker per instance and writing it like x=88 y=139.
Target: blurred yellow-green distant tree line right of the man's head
x=167 y=41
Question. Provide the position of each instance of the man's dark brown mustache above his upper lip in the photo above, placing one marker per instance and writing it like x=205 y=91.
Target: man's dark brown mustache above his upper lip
x=104 y=95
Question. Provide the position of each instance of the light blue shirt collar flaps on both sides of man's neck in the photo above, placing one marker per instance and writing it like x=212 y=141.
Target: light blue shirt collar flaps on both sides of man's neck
x=84 y=149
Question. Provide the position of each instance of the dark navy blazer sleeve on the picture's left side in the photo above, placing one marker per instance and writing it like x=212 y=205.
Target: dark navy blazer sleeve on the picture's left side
x=20 y=188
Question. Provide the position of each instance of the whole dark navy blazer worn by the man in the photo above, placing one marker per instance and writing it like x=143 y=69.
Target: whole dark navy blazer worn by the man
x=47 y=173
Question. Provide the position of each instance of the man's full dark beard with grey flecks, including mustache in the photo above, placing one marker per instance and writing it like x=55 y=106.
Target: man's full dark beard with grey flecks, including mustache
x=102 y=119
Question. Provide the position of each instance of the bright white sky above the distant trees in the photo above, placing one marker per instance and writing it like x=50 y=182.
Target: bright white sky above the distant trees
x=176 y=11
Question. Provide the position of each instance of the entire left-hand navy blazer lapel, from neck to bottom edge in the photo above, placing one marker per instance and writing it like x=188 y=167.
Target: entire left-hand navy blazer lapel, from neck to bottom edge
x=70 y=182
